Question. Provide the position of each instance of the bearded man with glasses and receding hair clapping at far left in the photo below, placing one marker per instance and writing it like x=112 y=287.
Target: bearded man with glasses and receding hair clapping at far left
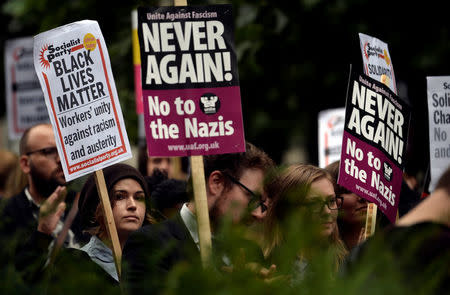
x=36 y=215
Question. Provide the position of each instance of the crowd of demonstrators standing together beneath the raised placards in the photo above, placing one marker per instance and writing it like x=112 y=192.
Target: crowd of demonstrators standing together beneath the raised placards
x=298 y=224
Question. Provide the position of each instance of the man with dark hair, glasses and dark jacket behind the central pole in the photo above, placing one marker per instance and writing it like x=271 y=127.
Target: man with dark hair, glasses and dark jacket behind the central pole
x=233 y=181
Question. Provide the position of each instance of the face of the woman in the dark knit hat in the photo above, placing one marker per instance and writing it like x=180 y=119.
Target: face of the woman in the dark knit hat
x=129 y=206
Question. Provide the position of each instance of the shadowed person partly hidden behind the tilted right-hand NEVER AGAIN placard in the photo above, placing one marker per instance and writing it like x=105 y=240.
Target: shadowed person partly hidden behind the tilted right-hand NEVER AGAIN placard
x=352 y=218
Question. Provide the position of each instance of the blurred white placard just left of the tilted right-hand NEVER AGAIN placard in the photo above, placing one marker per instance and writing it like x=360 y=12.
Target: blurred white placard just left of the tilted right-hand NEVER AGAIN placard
x=331 y=127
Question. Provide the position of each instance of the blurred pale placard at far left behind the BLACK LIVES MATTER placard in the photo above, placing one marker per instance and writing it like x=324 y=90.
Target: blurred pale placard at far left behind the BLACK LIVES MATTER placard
x=24 y=98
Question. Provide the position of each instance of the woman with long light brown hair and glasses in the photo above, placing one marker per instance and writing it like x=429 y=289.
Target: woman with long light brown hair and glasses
x=303 y=216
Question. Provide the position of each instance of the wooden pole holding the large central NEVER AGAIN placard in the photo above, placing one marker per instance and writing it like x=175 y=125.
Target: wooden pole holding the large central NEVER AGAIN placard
x=201 y=205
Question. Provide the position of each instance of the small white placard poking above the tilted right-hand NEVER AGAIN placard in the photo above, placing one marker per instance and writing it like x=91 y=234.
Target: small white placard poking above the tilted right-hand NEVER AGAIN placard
x=377 y=61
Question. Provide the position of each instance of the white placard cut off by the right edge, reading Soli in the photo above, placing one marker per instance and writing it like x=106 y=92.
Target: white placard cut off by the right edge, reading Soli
x=438 y=90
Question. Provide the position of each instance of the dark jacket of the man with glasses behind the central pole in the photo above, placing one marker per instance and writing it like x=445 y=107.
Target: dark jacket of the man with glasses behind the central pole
x=154 y=250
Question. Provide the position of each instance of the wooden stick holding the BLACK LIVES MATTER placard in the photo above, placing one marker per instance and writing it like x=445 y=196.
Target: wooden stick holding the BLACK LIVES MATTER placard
x=109 y=219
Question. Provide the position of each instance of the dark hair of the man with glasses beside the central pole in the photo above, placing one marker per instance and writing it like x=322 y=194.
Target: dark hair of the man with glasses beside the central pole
x=236 y=163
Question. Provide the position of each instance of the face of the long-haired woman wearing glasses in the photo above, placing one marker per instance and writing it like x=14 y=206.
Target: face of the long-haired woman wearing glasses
x=322 y=191
